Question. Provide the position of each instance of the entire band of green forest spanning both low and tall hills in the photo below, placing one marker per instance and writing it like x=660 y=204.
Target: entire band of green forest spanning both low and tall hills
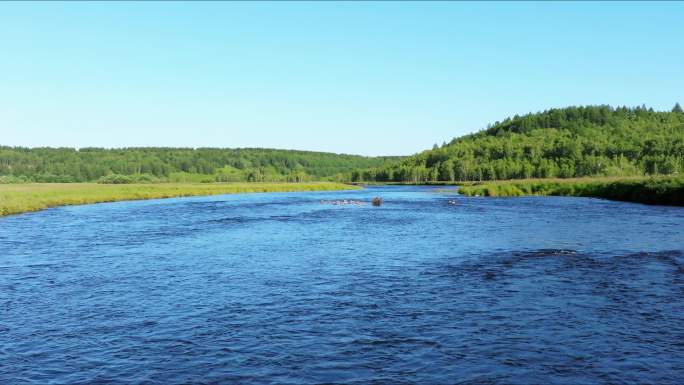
x=564 y=142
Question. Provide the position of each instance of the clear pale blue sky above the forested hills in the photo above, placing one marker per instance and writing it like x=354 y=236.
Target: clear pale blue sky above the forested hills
x=366 y=78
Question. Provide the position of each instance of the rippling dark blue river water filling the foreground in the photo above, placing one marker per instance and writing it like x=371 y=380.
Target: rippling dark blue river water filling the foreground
x=279 y=288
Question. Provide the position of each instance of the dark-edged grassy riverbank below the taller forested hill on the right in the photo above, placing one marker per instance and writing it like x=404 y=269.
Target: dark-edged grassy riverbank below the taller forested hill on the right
x=663 y=190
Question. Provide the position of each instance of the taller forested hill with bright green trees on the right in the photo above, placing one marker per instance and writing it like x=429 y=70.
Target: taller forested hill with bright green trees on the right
x=566 y=142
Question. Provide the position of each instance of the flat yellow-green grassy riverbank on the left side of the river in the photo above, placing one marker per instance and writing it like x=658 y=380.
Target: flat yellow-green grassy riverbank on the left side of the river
x=19 y=198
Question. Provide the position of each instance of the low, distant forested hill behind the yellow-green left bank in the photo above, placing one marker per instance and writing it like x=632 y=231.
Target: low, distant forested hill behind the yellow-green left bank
x=178 y=165
